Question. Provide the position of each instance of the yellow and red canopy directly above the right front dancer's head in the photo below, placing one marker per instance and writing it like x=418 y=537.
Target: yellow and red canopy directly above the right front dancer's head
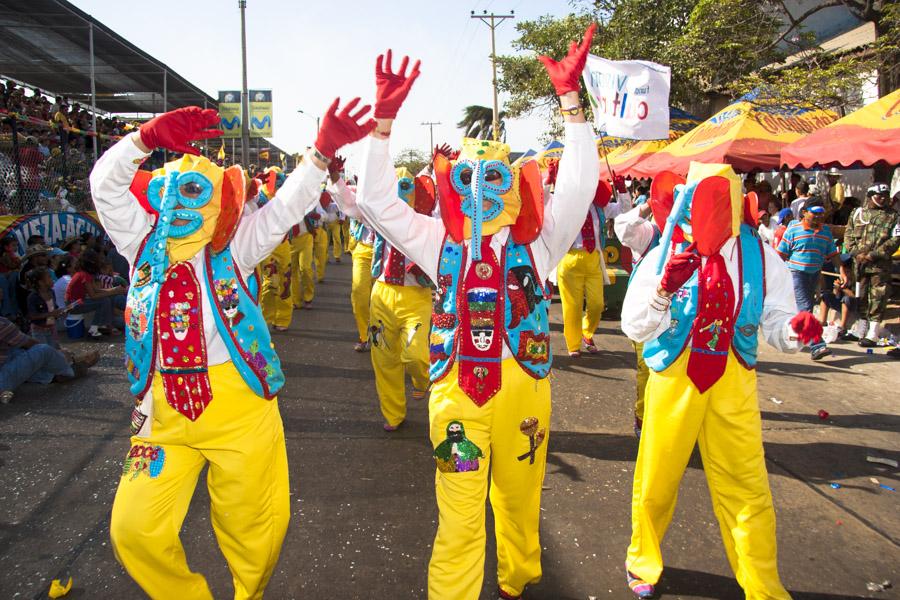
x=748 y=134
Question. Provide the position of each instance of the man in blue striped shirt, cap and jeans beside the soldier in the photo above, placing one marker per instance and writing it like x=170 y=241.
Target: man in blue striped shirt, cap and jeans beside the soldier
x=806 y=245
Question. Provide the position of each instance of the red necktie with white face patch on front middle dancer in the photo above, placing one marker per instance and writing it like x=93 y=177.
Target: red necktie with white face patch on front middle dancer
x=481 y=328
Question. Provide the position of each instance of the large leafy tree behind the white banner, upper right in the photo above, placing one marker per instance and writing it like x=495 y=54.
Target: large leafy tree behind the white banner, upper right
x=714 y=47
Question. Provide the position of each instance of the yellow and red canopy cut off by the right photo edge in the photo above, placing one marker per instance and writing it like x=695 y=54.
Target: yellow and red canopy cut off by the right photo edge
x=863 y=138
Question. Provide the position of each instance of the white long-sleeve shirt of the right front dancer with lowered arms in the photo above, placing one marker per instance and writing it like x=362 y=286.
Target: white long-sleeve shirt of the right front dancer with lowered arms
x=641 y=322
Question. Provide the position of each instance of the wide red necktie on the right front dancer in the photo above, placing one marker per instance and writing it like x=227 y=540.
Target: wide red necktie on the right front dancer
x=714 y=325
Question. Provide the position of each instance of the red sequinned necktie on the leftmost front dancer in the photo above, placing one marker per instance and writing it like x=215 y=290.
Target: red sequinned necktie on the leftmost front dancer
x=182 y=347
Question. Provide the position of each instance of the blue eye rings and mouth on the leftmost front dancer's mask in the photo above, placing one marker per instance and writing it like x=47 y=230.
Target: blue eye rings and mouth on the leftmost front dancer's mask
x=177 y=197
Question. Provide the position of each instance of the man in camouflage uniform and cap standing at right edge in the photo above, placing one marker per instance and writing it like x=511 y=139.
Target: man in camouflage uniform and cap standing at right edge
x=872 y=237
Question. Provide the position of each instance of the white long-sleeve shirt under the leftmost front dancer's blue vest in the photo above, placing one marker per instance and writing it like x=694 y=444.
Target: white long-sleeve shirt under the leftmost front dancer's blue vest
x=257 y=235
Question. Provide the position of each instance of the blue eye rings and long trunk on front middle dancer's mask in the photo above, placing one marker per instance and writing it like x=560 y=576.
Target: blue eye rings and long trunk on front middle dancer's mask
x=478 y=190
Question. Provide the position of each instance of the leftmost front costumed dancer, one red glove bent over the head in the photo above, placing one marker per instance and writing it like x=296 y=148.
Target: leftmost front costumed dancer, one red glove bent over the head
x=198 y=353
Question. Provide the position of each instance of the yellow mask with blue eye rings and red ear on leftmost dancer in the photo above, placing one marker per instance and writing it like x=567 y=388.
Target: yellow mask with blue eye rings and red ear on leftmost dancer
x=197 y=203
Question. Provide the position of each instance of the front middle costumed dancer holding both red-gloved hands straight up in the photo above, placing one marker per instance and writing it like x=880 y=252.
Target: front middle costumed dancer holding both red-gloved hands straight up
x=490 y=341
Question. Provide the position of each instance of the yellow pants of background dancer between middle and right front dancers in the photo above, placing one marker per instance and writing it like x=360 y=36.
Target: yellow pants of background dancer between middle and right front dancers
x=580 y=285
